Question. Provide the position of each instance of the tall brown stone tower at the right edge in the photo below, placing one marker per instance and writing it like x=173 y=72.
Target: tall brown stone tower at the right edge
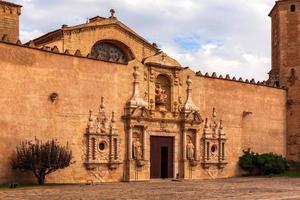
x=285 y=71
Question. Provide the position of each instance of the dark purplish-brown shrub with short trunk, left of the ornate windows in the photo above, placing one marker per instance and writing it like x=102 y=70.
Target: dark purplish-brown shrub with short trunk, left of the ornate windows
x=41 y=158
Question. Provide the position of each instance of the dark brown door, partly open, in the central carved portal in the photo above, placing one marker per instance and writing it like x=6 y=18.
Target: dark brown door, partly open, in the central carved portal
x=161 y=157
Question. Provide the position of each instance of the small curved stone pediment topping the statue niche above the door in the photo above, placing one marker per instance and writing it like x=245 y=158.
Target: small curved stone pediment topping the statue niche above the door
x=161 y=59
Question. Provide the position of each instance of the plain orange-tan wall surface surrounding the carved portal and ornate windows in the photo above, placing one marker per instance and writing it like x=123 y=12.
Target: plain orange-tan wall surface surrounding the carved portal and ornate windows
x=254 y=115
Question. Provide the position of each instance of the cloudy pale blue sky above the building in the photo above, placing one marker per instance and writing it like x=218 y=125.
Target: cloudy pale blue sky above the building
x=228 y=37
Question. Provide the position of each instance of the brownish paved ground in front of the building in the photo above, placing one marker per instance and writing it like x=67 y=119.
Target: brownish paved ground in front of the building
x=234 y=188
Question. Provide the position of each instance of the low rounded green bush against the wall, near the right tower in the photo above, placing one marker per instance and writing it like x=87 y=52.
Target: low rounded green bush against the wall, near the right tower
x=262 y=164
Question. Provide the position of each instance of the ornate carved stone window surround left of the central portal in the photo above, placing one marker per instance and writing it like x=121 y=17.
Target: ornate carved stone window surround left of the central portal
x=102 y=137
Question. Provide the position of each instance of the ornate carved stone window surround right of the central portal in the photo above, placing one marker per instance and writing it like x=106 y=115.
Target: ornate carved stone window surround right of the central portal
x=213 y=143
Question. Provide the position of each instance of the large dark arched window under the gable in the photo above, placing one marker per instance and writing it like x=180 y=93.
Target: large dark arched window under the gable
x=108 y=51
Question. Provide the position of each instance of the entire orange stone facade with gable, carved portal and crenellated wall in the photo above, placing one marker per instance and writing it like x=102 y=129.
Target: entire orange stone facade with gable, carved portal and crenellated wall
x=109 y=93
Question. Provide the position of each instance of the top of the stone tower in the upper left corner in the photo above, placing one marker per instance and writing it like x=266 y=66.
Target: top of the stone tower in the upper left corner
x=9 y=20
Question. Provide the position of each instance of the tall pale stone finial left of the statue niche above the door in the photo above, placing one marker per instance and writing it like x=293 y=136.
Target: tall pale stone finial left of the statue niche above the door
x=136 y=100
